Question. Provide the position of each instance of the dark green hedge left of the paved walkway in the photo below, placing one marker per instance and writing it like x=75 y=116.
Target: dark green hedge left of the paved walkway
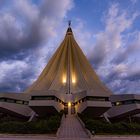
x=49 y=125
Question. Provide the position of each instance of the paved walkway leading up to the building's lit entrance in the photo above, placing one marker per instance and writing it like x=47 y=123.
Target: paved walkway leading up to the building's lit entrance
x=71 y=128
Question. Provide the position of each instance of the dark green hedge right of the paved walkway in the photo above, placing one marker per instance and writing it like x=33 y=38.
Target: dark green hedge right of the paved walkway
x=103 y=127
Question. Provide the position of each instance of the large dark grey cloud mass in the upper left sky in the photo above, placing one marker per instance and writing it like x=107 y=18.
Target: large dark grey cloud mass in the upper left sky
x=26 y=26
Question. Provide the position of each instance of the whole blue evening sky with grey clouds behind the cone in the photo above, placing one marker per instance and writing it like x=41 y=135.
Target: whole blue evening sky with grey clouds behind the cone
x=108 y=31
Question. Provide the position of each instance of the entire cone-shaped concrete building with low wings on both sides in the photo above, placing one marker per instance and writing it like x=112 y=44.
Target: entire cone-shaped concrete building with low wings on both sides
x=68 y=82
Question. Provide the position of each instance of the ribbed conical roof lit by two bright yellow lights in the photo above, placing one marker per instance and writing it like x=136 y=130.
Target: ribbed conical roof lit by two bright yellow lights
x=69 y=71
